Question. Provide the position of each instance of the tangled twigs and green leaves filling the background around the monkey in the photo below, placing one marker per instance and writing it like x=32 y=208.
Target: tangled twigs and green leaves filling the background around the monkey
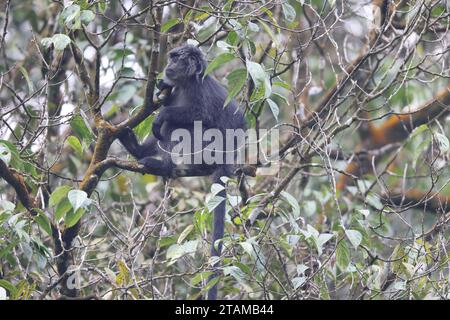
x=357 y=210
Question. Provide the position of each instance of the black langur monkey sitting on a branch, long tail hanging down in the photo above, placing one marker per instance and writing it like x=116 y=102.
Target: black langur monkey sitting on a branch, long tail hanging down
x=193 y=97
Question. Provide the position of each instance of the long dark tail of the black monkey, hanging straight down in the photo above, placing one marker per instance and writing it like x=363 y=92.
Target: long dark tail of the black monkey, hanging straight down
x=218 y=232
